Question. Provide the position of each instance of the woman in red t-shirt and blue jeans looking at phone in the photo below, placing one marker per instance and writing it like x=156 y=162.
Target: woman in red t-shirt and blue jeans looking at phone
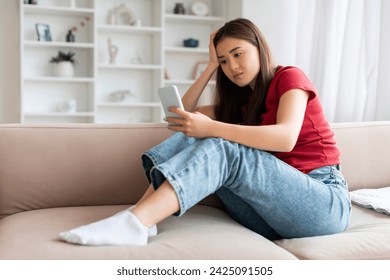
x=264 y=148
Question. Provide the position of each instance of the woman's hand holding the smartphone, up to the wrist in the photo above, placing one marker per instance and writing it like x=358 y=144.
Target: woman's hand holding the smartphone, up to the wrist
x=191 y=124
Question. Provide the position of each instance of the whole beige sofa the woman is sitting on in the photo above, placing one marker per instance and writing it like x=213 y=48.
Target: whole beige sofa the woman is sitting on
x=53 y=178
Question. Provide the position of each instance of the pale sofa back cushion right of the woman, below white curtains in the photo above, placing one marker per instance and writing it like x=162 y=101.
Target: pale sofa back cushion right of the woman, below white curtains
x=365 y=153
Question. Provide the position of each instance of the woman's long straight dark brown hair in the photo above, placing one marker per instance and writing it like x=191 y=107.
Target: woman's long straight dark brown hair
x=230 y=99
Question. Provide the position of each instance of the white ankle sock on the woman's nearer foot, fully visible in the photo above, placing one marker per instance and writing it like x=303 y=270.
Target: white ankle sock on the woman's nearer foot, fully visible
x=121 y=229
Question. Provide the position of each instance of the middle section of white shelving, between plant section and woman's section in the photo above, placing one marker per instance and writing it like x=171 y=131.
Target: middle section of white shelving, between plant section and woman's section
x=139 y=64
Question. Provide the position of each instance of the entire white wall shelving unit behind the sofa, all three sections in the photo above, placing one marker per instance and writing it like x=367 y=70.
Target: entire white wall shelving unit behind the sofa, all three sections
x=150 y=54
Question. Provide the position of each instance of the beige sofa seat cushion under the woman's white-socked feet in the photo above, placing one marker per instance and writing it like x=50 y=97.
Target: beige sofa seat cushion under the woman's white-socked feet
x=204 y=232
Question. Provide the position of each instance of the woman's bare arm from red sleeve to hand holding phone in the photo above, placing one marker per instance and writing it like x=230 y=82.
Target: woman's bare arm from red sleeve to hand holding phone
x=280 y=137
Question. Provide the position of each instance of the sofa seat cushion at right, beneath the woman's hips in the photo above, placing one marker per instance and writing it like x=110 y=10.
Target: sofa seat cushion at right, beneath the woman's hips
x=366 y=238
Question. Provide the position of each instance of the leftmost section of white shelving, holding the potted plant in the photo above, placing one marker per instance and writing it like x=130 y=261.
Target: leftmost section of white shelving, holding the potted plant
x=42 y=92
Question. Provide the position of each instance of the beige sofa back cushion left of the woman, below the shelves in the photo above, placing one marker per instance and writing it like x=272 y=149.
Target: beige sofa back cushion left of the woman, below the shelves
x=73 y=165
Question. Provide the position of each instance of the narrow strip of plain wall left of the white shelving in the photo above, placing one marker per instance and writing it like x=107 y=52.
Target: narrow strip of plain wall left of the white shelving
x=9 y=61
